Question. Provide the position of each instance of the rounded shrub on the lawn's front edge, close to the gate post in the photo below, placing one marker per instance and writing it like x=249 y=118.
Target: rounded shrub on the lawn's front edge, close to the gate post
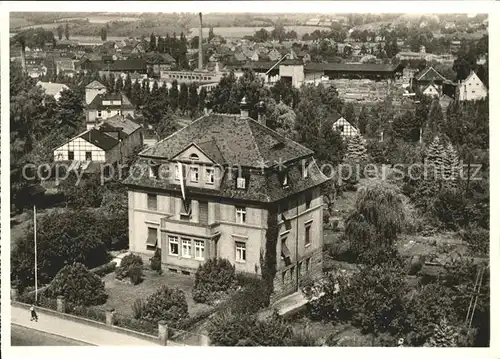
x=166 y=304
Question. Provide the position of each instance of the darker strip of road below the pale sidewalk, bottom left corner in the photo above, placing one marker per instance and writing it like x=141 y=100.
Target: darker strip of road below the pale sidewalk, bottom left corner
x=21 y=336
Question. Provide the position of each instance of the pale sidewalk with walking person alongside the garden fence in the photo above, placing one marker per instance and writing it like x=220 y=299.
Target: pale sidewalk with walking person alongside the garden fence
x=78 y=331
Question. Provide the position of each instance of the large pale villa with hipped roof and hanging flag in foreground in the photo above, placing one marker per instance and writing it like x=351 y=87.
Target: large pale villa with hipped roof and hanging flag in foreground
x=208 y=191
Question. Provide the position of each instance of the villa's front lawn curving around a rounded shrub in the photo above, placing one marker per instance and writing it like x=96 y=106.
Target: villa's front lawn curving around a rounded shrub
x=123 y=294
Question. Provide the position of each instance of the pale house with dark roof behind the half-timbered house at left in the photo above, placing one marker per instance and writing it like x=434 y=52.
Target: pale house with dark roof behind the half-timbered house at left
x=108 y=105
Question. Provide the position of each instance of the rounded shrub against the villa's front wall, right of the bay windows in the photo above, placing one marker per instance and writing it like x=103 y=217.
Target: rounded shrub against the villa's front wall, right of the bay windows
x=215 y=277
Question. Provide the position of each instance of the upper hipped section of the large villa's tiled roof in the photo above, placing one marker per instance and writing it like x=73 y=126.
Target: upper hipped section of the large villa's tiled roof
x=240 y=141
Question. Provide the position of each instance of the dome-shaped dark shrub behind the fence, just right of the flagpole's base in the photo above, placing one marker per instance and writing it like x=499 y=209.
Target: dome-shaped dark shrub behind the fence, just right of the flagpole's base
x=78 y=285
